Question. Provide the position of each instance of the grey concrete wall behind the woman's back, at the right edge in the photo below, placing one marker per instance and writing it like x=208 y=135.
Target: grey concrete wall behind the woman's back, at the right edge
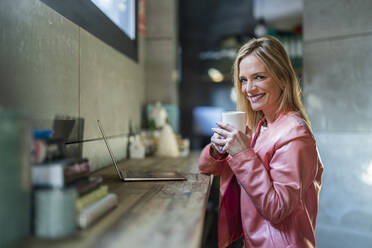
x=337 y=88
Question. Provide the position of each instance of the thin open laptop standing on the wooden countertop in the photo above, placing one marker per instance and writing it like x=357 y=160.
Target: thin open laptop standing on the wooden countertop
x=136 y=176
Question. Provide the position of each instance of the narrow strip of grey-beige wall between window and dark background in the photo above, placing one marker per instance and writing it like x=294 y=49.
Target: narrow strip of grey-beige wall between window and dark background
x=161 y=51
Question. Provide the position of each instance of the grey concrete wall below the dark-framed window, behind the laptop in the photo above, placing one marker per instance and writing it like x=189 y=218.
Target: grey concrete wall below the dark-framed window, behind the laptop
x=50 y=66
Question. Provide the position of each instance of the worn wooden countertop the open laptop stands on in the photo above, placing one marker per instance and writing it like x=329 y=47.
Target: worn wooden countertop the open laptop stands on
x=149 y=214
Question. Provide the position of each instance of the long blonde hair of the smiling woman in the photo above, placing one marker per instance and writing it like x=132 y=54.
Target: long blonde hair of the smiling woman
x=272 y=54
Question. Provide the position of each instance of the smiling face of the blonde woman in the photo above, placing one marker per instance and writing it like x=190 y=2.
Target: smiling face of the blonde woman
x=259 y=87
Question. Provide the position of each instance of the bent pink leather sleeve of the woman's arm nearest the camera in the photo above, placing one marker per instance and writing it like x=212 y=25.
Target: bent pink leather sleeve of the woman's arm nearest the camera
x=276 y=192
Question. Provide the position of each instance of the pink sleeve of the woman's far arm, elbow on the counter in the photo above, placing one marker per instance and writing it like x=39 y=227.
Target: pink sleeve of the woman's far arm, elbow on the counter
x=210 y=165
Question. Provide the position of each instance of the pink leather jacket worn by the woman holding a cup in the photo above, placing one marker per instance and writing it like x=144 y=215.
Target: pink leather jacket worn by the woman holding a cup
x=280 y=177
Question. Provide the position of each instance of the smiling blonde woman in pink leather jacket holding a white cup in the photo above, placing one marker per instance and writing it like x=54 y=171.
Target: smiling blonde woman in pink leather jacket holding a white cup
x=269 y=181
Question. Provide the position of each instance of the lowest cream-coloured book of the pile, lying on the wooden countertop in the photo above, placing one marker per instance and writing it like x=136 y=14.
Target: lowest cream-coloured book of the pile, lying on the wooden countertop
x=93 y=212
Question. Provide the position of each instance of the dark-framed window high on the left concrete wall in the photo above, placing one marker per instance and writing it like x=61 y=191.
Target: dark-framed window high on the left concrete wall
x=112 y=21
